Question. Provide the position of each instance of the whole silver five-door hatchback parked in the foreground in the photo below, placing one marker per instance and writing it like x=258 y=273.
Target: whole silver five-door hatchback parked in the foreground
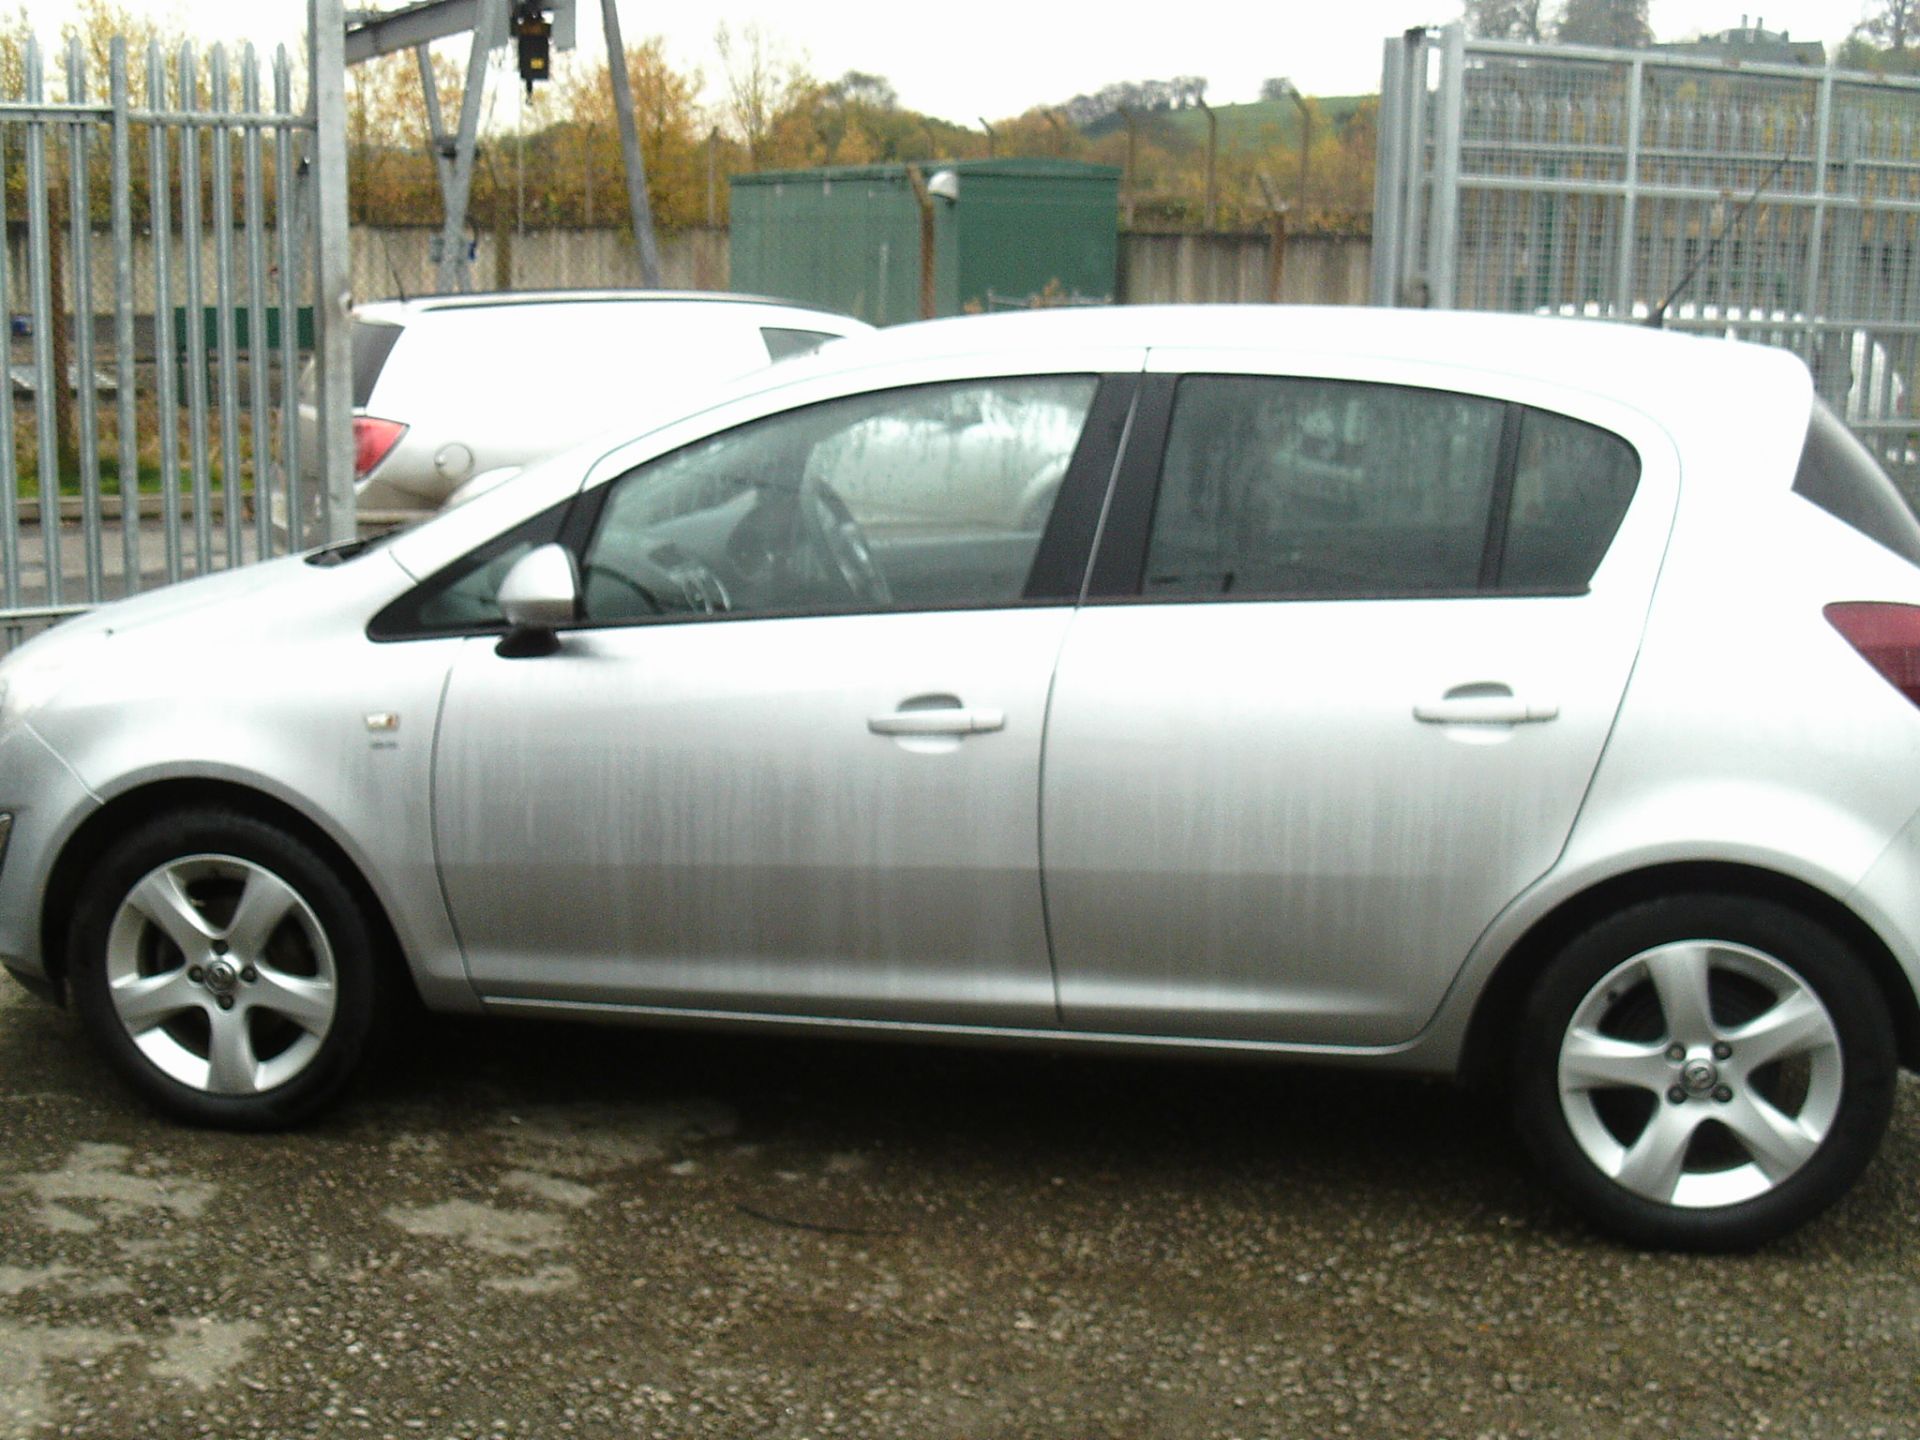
x=1531 y=702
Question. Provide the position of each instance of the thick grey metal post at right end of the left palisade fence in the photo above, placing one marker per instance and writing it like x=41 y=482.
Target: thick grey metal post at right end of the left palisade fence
x=335 y=310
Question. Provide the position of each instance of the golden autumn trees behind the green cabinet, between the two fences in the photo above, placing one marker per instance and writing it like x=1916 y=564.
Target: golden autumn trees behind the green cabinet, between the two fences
x=562 y=166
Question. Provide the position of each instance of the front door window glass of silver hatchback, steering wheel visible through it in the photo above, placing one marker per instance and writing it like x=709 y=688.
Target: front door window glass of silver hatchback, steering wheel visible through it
x=930 y=496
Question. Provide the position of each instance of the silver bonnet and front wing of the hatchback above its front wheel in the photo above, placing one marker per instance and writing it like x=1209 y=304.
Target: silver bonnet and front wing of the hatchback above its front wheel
x=304 y=734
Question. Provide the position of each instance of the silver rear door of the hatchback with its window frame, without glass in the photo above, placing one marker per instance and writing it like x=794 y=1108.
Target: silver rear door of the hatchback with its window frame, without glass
x=1245 y=807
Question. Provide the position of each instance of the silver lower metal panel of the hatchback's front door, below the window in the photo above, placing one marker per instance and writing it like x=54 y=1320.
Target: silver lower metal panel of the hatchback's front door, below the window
x=709 y=817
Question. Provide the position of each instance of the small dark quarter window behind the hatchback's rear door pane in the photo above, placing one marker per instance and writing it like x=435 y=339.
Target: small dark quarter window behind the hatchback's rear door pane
x=1572 y=485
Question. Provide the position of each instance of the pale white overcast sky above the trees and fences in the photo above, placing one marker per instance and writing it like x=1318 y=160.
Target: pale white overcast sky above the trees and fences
x=1001 y=57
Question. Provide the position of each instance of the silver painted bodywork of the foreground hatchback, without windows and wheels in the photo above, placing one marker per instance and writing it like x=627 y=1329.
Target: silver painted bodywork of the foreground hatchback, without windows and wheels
x=1746 y=734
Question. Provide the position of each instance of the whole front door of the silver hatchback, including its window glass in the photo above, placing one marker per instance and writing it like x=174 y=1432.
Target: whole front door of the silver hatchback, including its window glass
x=790 y=761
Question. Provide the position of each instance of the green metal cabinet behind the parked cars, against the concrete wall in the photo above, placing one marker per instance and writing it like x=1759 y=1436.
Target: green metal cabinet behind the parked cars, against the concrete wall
x=1007 y=233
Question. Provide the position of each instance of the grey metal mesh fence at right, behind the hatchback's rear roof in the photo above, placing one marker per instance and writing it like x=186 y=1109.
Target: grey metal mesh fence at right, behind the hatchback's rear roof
x=1777 y=204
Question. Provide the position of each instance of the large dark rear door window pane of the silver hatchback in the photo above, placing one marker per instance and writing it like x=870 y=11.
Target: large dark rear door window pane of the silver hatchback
x=1285 y=487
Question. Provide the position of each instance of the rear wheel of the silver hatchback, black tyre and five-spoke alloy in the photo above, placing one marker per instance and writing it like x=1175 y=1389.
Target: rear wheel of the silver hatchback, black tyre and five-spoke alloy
x=1704 y=1072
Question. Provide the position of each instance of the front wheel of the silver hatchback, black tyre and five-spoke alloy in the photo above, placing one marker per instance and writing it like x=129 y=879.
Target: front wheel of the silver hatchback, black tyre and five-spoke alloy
x=226 y=971
